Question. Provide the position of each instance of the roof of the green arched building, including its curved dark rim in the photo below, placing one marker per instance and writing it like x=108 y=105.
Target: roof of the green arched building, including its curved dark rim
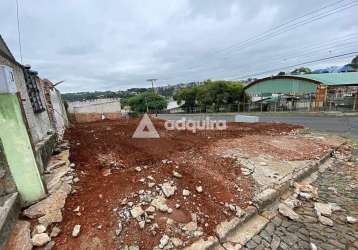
x=330 y=79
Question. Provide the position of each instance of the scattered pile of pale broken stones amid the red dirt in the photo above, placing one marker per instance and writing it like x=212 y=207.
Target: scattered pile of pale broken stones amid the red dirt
x=143 y=206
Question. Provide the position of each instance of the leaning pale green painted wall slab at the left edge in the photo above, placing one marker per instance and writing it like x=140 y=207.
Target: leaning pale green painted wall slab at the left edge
x=18 y=150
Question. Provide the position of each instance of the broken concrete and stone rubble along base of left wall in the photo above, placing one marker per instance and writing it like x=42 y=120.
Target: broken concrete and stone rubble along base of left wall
x=47 y=213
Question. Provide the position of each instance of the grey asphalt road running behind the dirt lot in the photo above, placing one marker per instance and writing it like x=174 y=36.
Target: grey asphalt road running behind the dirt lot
x=342 y=125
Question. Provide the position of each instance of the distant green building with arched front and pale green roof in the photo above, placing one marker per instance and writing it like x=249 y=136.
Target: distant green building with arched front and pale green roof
x=336 y=90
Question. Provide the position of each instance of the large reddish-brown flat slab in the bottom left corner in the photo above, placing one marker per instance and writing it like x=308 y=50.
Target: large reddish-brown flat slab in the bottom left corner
x=20 y=238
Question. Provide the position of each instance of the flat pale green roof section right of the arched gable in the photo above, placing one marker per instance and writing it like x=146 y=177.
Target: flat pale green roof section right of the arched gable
x=332 y=79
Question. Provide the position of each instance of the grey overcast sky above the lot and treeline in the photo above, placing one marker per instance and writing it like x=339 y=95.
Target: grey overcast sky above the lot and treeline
x=115 y=45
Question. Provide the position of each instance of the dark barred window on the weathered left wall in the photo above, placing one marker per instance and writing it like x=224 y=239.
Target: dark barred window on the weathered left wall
x=33 y=90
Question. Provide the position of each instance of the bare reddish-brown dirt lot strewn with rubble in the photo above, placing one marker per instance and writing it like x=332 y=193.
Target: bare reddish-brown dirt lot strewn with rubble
x=118 y=173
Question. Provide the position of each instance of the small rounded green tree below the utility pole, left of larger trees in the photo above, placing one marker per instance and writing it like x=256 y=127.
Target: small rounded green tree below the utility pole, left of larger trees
x=147 y=101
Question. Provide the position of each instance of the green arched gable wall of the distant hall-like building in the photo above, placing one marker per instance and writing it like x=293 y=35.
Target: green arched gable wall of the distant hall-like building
x=282 y=86
